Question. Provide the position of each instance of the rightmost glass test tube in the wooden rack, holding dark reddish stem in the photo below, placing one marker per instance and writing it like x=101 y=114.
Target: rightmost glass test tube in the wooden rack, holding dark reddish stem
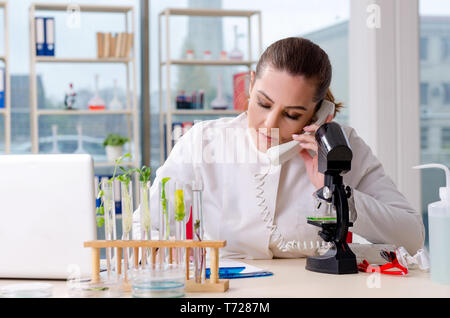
x=197 y=230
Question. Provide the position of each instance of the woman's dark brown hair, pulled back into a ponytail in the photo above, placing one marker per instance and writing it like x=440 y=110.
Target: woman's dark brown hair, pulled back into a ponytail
x=300 y=56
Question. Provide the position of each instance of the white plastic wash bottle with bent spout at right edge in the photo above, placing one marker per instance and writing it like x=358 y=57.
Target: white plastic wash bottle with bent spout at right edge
x=439 y=230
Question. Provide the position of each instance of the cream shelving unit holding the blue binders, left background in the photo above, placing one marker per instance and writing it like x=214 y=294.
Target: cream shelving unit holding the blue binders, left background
x=131 y=110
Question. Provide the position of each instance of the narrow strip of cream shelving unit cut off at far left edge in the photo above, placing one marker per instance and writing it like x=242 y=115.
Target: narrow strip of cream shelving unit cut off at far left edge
x=6 y=112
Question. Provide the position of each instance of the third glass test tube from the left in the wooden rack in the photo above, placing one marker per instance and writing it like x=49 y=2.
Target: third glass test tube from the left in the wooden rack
x=145 y=218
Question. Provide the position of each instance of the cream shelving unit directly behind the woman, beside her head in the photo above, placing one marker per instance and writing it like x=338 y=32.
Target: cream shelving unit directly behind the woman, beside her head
x=166 y=115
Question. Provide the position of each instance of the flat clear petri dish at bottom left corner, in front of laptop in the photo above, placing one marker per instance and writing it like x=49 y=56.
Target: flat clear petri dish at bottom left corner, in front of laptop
x=27 y=290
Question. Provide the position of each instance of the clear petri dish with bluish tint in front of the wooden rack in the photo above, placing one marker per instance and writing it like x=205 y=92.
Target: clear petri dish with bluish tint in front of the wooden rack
x=158 y=281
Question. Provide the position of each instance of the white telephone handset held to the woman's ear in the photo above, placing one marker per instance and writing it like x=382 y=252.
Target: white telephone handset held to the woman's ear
x=282 y=153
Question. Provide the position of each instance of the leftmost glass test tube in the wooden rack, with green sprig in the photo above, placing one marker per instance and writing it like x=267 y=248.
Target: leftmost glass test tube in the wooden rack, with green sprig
x=110 y=222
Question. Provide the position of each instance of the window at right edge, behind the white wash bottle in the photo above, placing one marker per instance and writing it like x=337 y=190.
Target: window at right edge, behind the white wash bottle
x=434 y=25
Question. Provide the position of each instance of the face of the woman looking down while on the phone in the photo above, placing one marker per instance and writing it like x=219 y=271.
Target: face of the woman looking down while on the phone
x=279 y=102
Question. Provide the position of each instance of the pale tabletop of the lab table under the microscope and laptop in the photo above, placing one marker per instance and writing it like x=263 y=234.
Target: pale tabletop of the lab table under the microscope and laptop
x=292 y=280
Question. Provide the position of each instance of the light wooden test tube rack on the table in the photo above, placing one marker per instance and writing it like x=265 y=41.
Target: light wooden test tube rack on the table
x=213 y=284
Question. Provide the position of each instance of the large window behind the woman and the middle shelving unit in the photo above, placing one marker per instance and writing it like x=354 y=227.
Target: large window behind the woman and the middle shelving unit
x=325 y=22
